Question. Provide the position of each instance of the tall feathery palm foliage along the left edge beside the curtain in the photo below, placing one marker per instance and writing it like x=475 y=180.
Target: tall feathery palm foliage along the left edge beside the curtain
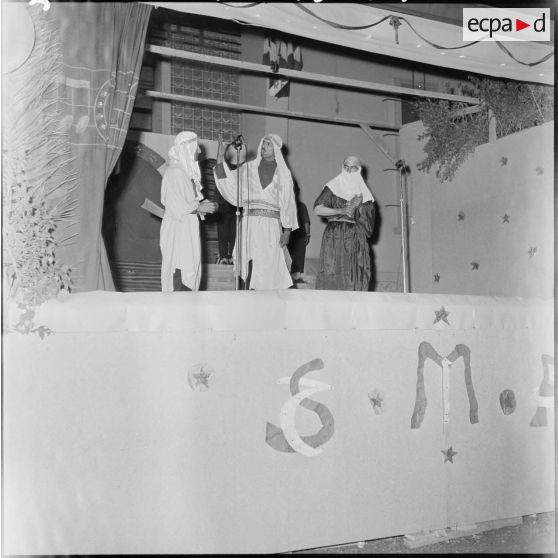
x=37 y=182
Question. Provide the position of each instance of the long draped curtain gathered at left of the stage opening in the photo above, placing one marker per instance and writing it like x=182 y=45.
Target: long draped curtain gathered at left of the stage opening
x=102 y=46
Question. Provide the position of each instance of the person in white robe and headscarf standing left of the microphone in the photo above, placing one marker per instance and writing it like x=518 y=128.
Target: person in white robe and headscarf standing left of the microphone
x=184 y=205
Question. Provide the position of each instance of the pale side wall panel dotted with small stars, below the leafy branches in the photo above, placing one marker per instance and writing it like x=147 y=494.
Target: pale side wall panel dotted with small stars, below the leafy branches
x=490 y=231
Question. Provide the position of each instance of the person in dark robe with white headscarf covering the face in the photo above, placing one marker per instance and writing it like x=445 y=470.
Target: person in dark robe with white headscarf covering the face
x=348 y=205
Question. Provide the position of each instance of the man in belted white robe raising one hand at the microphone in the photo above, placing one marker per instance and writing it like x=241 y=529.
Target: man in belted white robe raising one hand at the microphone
x=269 y=215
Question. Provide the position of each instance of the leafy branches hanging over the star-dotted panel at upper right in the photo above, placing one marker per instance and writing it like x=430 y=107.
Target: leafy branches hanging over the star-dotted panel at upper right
x=453 y=129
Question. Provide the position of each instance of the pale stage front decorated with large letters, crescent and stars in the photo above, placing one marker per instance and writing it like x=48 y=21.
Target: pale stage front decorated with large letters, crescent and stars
x=264 y=422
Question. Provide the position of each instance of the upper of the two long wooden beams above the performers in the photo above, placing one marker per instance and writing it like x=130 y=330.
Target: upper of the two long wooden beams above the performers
x=299 y=75
